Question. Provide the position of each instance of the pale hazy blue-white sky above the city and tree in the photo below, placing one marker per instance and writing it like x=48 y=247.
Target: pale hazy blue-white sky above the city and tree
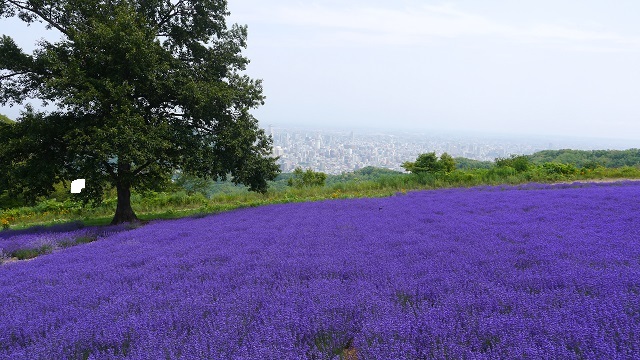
x=525 y=67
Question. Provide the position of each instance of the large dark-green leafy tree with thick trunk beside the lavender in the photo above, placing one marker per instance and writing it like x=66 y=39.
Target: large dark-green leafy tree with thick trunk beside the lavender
x=142 y=88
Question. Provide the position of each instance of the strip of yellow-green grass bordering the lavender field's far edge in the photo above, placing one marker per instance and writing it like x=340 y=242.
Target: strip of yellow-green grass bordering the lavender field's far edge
x=151 y=206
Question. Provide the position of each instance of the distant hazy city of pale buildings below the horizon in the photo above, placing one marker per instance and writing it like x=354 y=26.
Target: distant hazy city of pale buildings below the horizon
x=336 y=151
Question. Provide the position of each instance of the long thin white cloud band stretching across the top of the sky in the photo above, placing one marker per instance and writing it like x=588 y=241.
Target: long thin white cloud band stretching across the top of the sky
x=349 y=25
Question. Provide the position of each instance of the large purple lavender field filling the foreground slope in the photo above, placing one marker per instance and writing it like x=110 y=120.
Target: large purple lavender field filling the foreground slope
x=535 y=271
